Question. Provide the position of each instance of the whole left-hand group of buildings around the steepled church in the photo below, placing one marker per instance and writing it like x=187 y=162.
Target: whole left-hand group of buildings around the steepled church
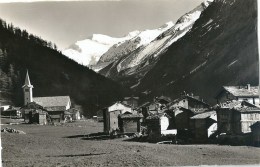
x=42 y=110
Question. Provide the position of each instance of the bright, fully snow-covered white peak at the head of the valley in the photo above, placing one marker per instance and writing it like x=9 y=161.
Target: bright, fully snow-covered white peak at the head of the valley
x=89 y=51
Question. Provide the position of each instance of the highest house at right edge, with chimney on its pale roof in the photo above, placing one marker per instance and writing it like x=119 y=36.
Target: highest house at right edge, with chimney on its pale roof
x=241 y=93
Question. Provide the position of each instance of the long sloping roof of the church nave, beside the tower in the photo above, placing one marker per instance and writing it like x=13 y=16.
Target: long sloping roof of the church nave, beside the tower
x=53 y=103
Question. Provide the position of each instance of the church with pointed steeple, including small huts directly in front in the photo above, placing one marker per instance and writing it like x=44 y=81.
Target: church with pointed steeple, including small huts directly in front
x=40 y=109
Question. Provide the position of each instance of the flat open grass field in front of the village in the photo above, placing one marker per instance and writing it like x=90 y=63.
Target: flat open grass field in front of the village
x=66 y=145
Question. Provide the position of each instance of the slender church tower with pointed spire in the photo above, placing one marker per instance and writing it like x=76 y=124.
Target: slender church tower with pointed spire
x=27 y=90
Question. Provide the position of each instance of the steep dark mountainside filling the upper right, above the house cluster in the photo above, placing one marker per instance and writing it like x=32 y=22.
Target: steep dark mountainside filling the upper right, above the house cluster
x=220 y=49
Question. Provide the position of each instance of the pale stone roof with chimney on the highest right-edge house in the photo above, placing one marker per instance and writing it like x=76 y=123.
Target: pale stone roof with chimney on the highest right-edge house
x=239 y=91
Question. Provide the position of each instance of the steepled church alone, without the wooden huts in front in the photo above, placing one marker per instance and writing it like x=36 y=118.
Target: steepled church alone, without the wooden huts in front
x=55 y=105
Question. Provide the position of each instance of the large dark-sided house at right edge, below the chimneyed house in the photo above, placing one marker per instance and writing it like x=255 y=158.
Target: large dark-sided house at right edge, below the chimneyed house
x=235 y=117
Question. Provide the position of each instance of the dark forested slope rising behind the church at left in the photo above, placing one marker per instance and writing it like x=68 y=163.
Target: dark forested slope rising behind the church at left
x=51 y=73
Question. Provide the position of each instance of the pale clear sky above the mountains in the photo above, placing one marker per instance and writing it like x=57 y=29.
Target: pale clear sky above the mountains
x=64 y=23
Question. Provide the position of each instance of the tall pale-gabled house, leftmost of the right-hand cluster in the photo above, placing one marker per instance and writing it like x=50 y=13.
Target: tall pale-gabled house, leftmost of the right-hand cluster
x=111 y=113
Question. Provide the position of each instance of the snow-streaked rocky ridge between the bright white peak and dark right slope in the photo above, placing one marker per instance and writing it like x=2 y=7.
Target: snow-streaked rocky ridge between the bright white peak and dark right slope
x=137 y=56
